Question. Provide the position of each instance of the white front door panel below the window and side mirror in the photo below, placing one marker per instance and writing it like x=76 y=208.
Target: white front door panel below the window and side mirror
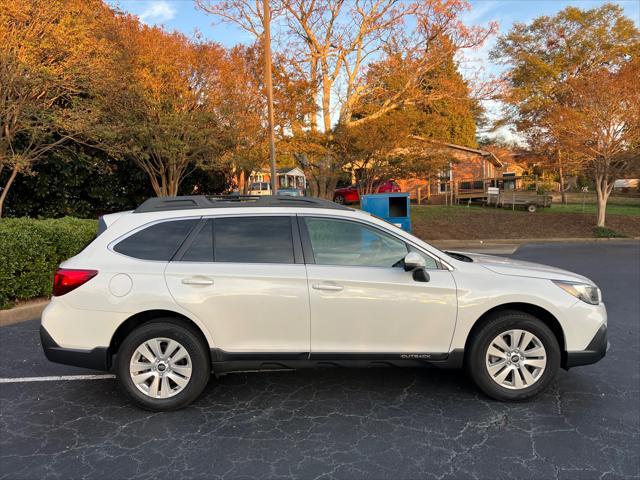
x=366 y=311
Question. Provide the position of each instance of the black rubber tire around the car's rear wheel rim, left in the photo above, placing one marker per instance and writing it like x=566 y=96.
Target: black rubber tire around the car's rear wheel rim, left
x=198 y=352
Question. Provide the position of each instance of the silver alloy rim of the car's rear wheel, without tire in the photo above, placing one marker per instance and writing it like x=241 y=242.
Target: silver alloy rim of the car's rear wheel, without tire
x=160 y=367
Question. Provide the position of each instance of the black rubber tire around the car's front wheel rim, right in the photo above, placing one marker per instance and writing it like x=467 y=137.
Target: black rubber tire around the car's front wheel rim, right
x=475 y=362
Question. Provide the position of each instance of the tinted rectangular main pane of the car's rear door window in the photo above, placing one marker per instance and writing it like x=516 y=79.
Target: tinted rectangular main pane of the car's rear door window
x=253 y=240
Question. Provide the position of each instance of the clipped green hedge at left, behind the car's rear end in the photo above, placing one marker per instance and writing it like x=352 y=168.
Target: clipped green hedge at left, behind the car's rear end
x=30 y=251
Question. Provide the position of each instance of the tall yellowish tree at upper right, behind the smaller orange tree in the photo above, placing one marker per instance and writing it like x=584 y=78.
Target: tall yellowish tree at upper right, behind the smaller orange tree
x=545 y=54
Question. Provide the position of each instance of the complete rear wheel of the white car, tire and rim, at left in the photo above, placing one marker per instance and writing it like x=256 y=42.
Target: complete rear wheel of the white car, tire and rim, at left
x=163 y=365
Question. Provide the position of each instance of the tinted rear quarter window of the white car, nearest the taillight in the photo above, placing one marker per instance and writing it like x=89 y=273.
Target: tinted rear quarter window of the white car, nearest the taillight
x=157 y=242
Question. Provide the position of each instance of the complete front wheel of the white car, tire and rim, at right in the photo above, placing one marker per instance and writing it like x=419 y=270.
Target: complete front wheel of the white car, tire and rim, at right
x=515 y=356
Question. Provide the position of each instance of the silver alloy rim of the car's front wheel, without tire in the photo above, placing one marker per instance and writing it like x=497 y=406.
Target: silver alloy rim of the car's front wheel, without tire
x=516 y=359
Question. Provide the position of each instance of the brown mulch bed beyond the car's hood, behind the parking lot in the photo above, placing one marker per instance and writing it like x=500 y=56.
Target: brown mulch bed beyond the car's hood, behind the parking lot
x=453 y=223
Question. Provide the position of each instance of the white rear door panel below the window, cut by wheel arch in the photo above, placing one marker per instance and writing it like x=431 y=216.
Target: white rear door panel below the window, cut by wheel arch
x=249 y=307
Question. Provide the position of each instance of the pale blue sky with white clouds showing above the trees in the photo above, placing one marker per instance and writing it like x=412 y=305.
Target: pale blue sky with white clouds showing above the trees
x=183 y=16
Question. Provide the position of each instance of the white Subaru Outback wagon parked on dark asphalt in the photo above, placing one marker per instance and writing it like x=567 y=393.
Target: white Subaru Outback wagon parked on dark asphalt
x=185 y=286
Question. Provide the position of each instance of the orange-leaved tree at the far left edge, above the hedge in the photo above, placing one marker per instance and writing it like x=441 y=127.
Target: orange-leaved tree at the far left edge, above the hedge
x=50 y=55
